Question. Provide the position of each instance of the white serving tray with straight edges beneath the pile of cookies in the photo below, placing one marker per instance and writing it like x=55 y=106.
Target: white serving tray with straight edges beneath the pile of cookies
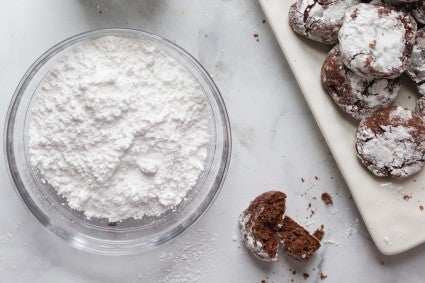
x=394 y=223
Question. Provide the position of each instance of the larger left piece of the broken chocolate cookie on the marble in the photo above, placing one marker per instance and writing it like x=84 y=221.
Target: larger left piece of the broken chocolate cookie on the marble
x=260 y=223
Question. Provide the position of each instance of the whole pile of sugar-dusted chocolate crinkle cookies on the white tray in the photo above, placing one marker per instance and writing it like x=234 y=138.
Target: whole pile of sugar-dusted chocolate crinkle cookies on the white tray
x=374 y=43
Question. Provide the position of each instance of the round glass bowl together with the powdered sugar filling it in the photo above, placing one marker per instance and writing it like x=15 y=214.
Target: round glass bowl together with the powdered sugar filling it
x=117 y=140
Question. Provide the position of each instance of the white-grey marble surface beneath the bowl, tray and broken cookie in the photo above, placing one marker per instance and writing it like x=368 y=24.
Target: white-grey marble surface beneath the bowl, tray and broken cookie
x=275 y=143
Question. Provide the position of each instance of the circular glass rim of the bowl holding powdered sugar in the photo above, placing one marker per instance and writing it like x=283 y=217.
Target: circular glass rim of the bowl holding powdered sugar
x=26 y=199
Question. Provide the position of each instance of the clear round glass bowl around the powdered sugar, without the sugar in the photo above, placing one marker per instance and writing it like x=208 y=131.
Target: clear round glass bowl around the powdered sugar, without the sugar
x=95 y=235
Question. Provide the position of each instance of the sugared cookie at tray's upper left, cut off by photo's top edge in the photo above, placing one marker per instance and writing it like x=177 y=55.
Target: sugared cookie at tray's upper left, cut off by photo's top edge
x=319 y=20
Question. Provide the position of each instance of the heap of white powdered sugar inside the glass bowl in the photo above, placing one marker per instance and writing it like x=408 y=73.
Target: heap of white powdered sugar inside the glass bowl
x=119 y=128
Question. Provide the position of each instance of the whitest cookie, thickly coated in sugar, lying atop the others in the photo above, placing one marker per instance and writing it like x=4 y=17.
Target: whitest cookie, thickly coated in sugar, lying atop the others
x=376 y=40
